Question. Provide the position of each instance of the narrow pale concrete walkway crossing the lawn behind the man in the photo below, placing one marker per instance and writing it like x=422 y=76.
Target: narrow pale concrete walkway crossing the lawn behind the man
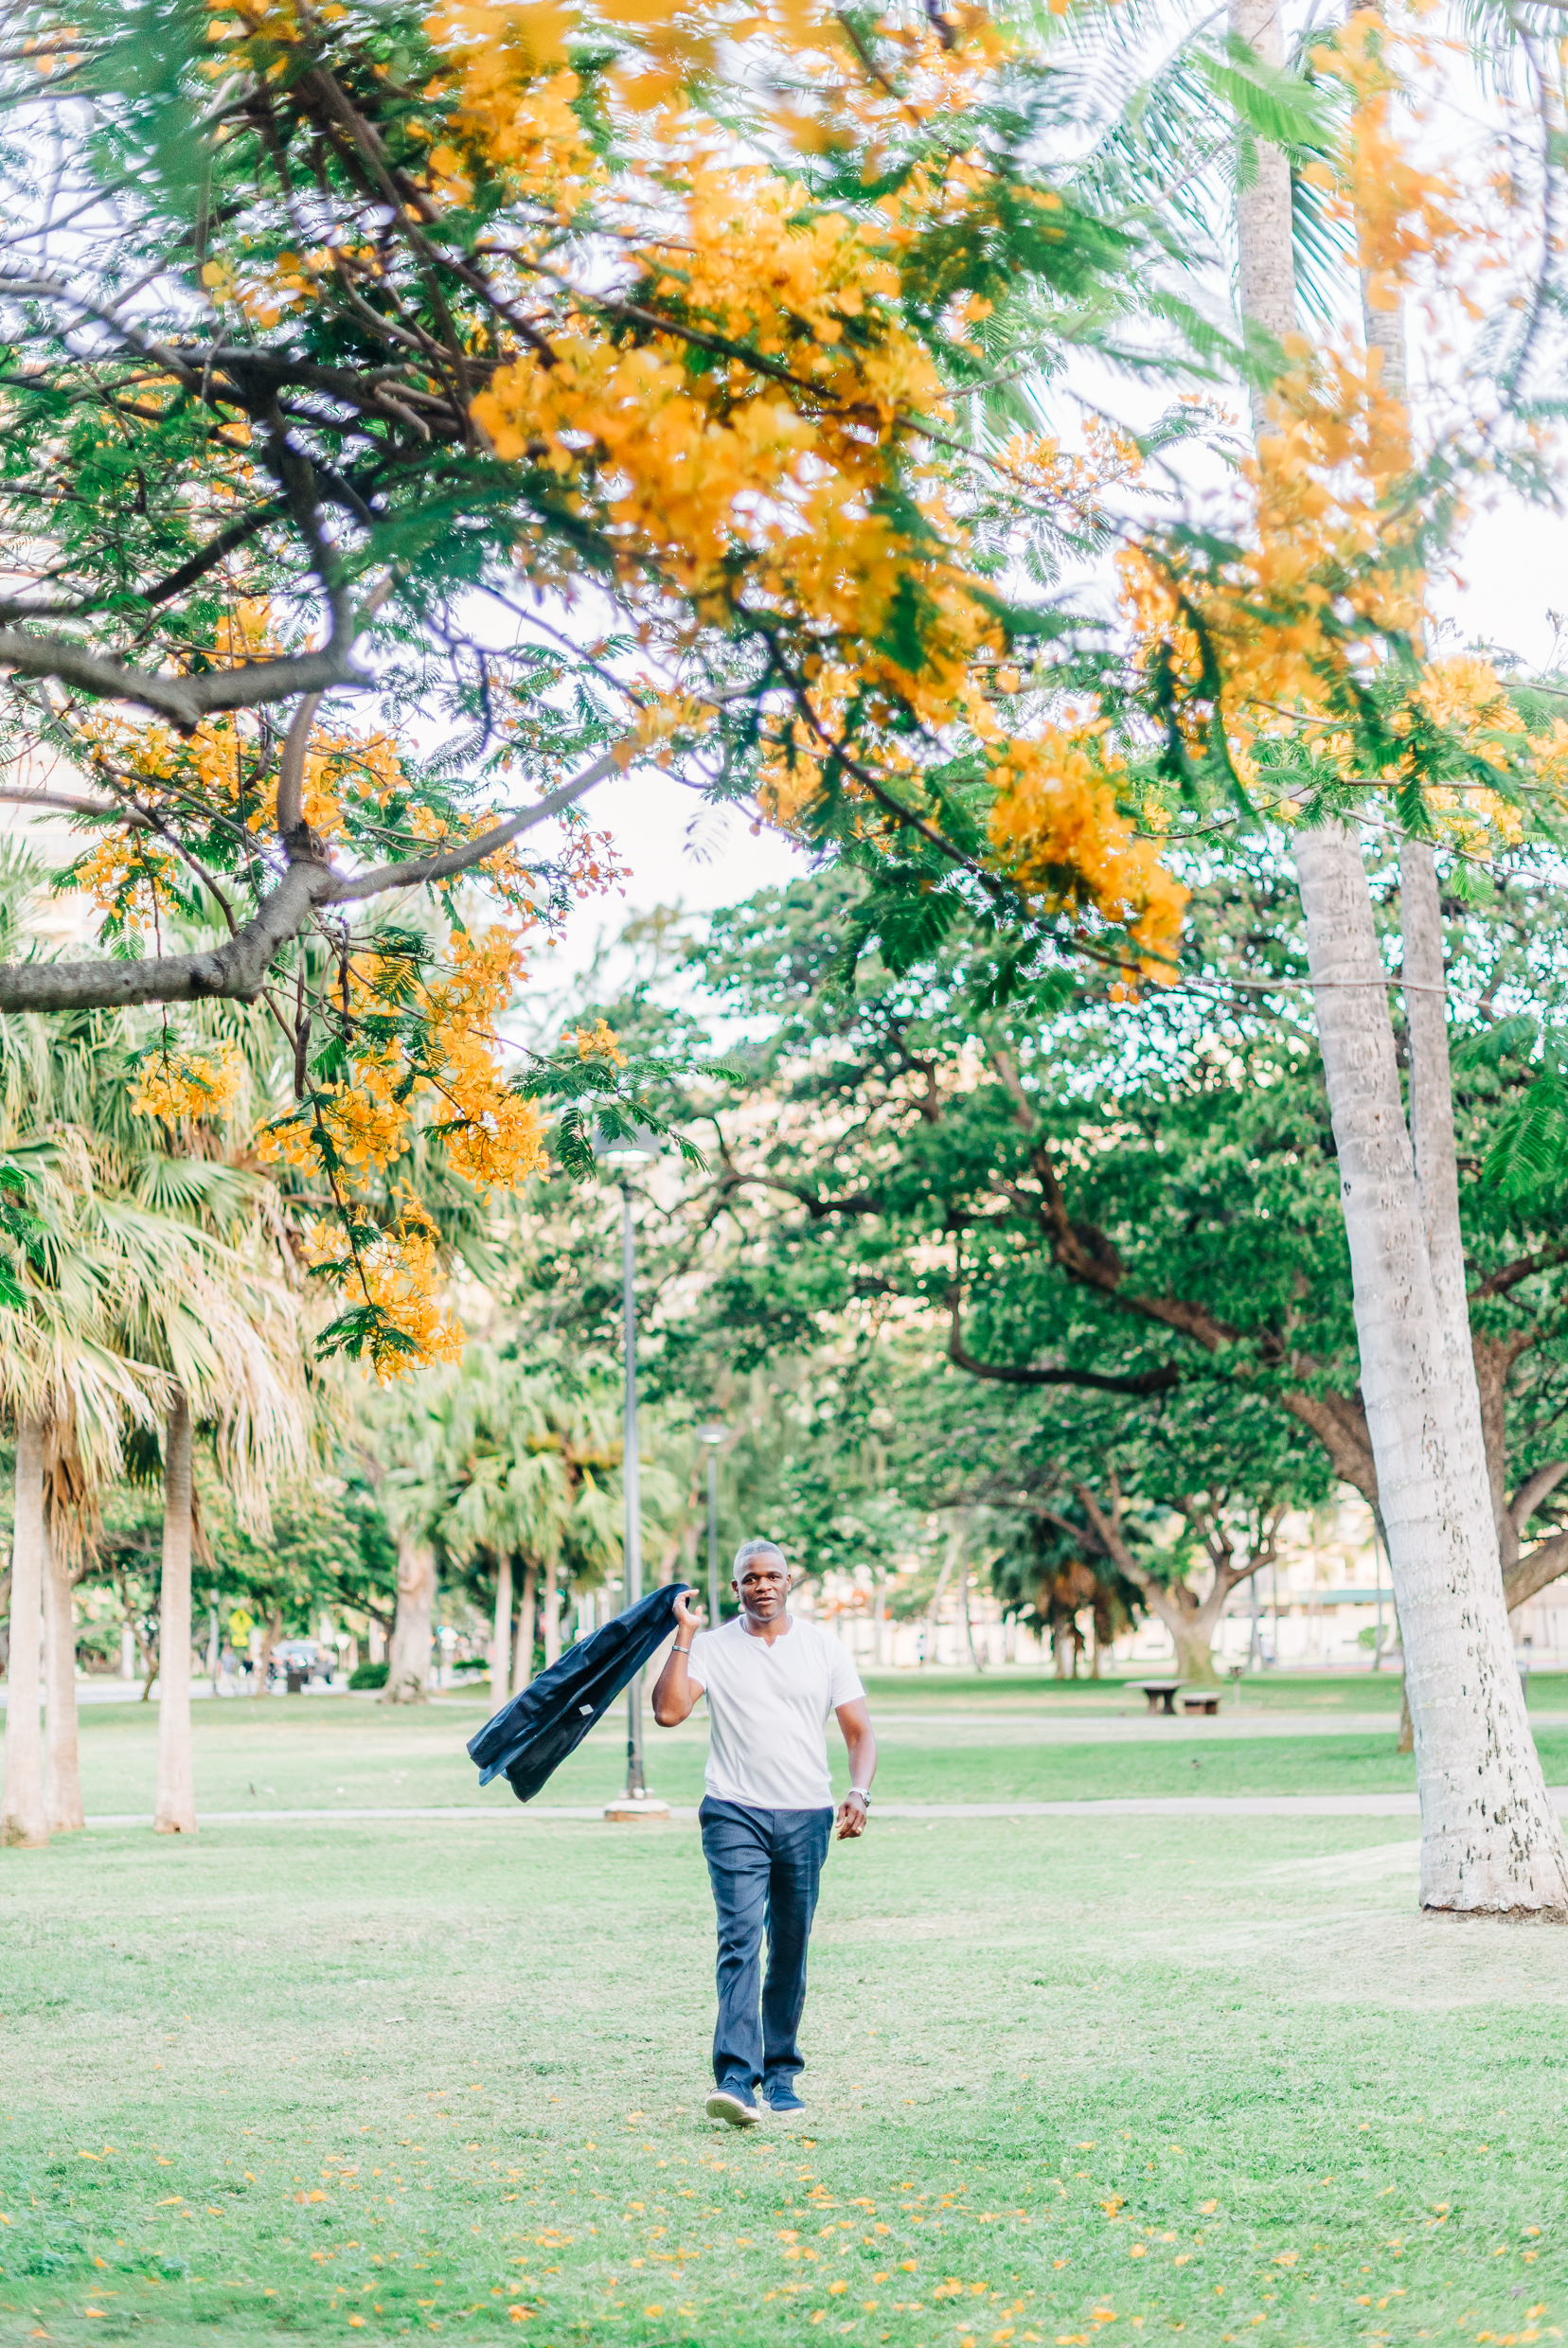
x=931 y=1814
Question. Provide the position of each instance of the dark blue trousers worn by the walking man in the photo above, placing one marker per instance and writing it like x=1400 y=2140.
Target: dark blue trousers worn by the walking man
x=764 y=1868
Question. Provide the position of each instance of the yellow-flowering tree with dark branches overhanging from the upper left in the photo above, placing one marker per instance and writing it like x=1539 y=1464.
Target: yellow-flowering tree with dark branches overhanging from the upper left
x=445 y=410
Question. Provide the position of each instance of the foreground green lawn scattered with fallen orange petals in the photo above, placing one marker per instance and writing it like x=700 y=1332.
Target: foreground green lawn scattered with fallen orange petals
x=1067 y=2082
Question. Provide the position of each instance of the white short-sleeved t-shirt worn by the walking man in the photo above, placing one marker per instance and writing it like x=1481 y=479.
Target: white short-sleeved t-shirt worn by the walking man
x=769 y=1713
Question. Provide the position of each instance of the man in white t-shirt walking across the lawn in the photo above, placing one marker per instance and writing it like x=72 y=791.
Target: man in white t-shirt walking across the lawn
x=771 y=1682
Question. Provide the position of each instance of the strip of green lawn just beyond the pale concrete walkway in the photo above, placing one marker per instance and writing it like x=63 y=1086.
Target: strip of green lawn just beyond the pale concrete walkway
x=325 y=1753
